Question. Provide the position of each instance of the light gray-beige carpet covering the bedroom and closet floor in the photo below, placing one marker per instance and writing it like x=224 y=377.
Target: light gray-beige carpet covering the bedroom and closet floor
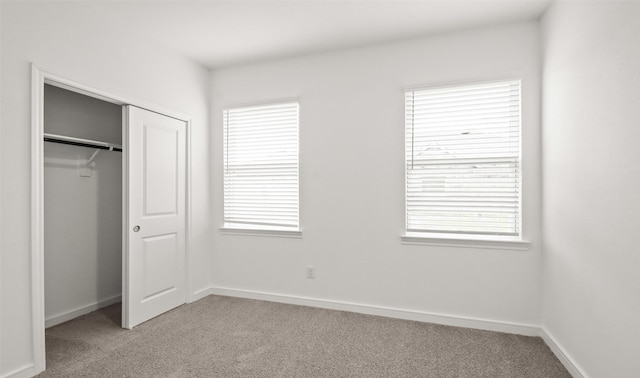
x=230 y=337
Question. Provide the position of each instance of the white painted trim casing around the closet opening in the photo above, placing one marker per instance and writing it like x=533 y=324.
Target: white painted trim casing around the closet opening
x=38 y=79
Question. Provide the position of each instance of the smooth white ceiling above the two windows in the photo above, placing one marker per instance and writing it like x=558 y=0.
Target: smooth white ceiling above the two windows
x=224 y=33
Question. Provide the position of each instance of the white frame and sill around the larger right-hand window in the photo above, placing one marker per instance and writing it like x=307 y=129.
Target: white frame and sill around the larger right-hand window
x=461 y=239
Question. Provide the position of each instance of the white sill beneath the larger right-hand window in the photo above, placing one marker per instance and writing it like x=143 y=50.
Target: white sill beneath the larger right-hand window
x=463 y=241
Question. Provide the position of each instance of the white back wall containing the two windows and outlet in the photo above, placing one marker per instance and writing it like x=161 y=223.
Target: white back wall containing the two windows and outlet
x=352 y=172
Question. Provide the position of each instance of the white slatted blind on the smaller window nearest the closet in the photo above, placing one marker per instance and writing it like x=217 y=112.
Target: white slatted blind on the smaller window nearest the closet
x=261 y=167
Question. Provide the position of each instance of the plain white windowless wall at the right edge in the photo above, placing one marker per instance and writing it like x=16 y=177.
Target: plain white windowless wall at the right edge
x=591 y=155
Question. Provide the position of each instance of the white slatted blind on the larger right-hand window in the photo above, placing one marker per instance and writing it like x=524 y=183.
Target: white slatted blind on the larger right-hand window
x=463 y=159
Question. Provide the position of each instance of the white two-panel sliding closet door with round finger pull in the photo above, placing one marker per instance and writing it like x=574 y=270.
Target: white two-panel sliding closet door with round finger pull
x=155 y=262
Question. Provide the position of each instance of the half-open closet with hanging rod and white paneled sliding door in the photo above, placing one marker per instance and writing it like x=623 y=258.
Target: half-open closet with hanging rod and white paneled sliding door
x=114 y=206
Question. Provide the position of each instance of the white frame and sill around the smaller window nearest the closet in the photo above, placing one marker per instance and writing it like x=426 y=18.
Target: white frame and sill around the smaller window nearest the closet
x=247 y=229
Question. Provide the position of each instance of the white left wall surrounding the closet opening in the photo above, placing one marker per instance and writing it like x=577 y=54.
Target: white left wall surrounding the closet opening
x=82 y=42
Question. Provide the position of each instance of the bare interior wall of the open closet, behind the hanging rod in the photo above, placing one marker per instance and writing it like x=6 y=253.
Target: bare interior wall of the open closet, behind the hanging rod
x=82 y=215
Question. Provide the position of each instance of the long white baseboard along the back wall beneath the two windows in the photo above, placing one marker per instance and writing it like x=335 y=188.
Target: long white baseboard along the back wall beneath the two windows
x=389 y=312
